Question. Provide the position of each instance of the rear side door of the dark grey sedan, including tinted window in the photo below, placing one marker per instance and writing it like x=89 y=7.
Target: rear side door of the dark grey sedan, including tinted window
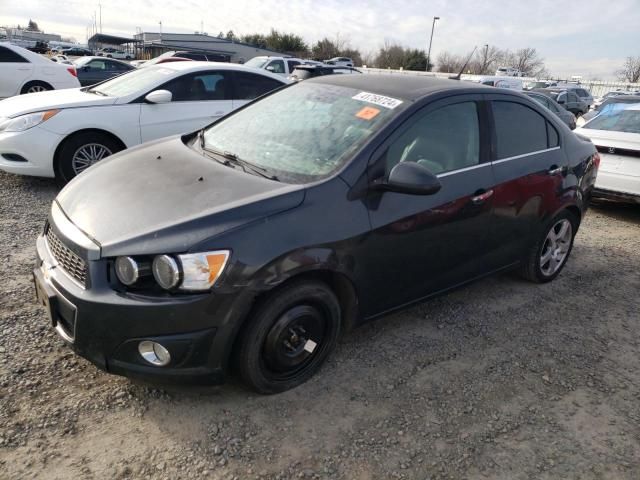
x=529 y=167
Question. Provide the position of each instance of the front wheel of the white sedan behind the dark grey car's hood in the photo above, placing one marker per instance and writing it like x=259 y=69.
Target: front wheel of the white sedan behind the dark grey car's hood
x=82 y=150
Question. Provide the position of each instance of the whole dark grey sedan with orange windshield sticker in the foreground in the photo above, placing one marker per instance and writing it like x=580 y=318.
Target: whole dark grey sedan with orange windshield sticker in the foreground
x=256 y=241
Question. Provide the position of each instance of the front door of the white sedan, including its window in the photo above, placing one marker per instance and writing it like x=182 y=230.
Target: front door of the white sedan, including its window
x=198 y=99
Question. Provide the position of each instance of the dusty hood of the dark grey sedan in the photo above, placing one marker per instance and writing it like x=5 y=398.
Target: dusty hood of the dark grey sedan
x=164 y=197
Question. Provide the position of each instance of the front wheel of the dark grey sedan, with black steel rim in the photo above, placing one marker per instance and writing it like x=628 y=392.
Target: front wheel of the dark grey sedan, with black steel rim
x=288 y=338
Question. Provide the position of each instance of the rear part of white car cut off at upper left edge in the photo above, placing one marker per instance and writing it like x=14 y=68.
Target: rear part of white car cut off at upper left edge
x=23 y=71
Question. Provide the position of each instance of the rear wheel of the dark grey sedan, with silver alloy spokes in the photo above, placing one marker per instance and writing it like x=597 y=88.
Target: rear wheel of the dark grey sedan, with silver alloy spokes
x=548 y=256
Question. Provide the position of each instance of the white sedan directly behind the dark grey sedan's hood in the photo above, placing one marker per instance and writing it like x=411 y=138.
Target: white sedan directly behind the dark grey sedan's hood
x=61 y=133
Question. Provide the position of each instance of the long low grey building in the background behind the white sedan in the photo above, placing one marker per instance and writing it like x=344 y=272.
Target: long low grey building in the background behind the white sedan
x=152 y=44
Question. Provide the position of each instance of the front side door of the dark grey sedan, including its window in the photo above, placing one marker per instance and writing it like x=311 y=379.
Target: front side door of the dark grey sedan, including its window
x=421 y=244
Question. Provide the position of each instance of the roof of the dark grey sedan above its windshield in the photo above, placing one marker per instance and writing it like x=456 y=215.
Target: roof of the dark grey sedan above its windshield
x=408 y=87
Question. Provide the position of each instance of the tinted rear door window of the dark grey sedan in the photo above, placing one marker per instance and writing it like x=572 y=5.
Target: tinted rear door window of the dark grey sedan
x=519 y=129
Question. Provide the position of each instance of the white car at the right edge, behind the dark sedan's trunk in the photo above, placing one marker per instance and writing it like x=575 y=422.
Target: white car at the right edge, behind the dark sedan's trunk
x=616 y=134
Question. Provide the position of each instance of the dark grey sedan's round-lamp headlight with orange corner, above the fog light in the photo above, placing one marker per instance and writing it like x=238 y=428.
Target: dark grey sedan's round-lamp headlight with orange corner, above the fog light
x=192 y=272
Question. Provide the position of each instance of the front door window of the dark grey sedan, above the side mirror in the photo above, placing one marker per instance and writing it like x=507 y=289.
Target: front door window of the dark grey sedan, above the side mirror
x=443 y=140
